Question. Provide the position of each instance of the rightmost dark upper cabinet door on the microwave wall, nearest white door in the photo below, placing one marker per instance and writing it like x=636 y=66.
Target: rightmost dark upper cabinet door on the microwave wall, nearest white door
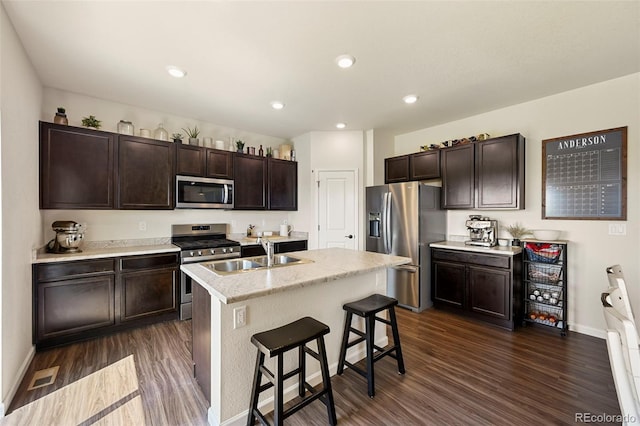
x=283 y=184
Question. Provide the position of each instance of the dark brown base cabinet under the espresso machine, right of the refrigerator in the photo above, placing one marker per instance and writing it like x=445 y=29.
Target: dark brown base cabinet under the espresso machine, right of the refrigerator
x=486 y=286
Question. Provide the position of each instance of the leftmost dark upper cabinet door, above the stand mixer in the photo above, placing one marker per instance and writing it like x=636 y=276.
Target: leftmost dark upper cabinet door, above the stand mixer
x=76 y=168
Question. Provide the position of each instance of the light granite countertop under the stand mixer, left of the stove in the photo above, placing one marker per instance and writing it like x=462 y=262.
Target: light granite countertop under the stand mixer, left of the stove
x=115 y=248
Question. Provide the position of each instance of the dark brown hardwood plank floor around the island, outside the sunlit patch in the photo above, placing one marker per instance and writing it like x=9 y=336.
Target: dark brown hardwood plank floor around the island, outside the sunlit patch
x=459 y=372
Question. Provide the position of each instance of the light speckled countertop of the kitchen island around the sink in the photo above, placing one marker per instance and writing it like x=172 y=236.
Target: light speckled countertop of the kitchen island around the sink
x=327 y=265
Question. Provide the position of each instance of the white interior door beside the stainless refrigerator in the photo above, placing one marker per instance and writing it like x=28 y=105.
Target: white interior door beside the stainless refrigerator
x=337 y=209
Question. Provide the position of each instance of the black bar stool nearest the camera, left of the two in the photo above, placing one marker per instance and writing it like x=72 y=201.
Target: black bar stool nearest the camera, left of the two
x=275 y=343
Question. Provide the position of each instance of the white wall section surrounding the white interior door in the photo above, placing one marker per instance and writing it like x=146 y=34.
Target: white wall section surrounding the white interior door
x=339 y=150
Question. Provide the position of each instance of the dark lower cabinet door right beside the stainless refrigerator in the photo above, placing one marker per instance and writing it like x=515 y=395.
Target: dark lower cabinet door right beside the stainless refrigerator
x=449 y=284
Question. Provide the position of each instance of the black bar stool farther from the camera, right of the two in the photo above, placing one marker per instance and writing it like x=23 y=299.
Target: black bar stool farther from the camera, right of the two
x=368 y=308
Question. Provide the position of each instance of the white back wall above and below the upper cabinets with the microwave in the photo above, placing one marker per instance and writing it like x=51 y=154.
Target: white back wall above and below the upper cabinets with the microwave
x=124 y=224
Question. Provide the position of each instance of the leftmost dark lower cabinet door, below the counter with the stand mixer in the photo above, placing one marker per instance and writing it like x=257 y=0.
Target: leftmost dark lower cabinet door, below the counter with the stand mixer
x=75 y=305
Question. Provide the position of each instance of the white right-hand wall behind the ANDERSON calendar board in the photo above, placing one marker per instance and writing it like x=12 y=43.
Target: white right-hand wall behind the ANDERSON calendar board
x=606 y=105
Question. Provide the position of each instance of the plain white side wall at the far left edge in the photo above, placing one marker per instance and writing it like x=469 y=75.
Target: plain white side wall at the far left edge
x=21 y=231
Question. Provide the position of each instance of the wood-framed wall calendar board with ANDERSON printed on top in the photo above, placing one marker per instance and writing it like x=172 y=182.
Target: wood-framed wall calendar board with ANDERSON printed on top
x=584 y=176
